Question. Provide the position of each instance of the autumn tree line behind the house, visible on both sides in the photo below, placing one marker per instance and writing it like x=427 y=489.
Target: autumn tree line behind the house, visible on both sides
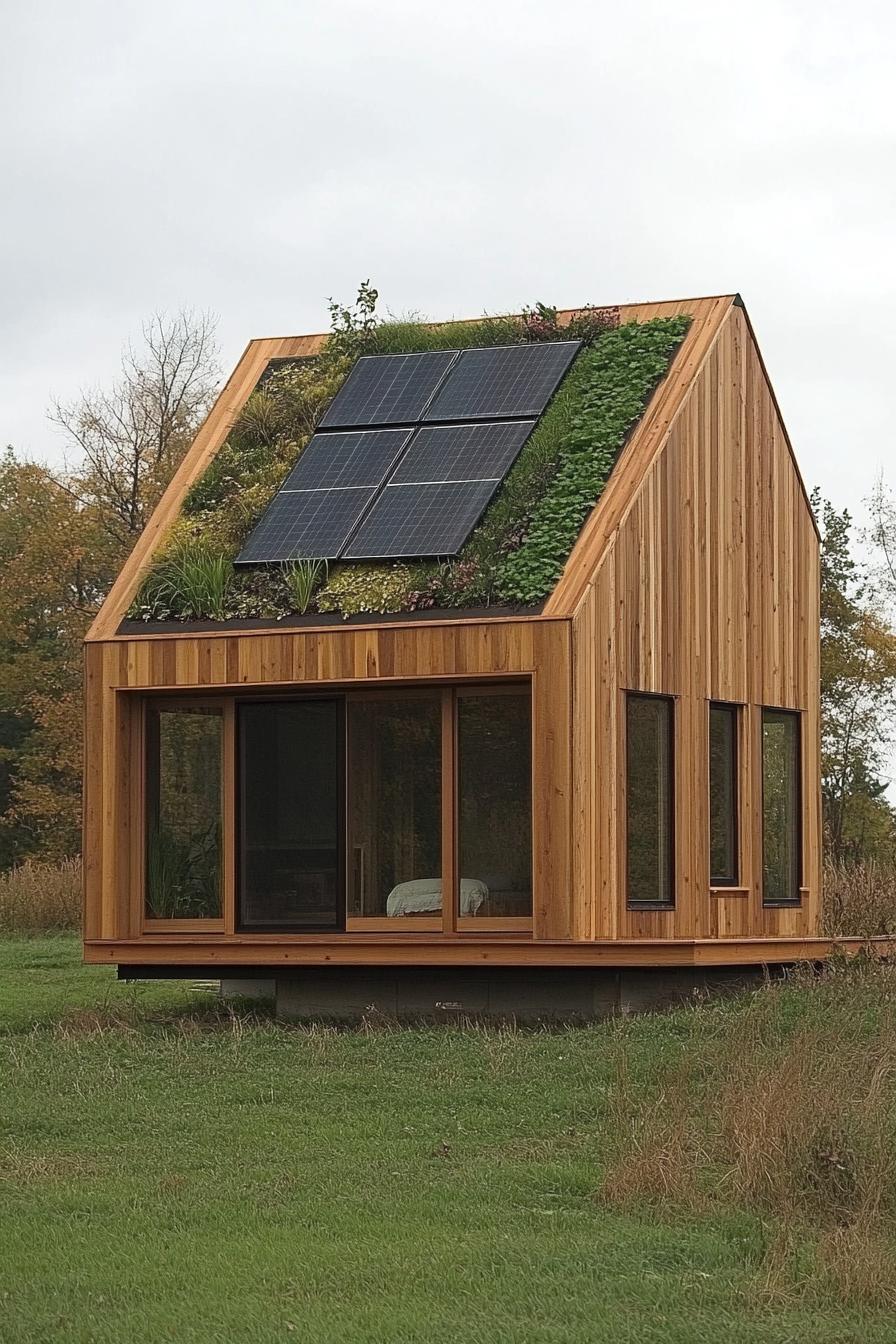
x=66 y=532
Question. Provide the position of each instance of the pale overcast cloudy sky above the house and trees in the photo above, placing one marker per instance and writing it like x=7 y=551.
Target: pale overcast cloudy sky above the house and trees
x=472 y=155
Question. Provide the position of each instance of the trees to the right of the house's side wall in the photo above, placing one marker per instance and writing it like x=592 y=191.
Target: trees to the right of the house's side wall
x=858 y=697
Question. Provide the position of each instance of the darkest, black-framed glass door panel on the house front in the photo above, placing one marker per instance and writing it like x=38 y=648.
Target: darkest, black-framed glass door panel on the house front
x=291 y=815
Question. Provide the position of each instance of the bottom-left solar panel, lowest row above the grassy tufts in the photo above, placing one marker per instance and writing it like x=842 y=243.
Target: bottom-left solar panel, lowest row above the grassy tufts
x=306 y=525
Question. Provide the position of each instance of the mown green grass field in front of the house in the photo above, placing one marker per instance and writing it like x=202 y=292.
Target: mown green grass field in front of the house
x=174 y=1171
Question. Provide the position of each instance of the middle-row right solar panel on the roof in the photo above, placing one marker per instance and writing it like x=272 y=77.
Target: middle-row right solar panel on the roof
x=463 y=452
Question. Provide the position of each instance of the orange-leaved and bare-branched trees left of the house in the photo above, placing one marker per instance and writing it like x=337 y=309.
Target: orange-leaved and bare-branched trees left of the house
x=64 y=537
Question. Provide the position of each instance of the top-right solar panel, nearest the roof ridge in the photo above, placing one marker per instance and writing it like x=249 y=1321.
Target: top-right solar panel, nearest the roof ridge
x=502 y=381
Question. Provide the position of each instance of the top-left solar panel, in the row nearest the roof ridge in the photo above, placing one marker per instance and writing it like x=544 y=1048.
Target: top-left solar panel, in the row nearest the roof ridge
x=388 y=389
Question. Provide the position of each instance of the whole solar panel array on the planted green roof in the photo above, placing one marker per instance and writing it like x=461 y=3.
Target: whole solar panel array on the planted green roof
x=449 y=427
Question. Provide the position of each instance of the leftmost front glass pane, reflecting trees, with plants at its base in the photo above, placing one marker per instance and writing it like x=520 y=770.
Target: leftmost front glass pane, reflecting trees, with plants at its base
x=185 y=868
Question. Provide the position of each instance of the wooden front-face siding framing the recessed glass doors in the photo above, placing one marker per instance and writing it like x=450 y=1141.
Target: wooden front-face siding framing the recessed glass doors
x=449 y=653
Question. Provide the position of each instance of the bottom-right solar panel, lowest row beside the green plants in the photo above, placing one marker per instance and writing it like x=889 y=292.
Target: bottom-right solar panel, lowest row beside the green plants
x=420 y=521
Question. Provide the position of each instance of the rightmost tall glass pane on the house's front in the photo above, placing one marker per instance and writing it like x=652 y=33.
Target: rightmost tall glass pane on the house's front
x=495 y=803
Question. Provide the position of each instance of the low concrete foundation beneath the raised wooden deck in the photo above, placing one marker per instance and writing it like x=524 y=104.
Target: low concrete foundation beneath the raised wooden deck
x=526 y=995
